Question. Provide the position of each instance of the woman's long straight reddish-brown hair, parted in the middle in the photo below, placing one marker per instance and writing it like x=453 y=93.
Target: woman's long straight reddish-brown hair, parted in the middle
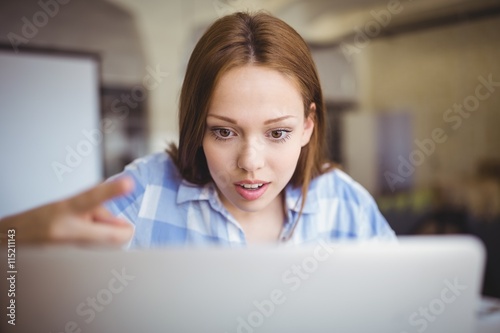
x=236 y=40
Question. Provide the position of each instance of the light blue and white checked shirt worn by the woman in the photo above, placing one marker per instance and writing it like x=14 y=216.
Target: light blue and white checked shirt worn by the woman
x=169 y=211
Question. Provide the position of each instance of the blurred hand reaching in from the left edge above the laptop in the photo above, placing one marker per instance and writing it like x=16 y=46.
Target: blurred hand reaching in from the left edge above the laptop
x=80 y=219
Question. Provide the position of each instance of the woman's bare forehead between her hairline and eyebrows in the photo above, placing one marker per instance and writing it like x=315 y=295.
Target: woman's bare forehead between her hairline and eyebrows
x=251 y=88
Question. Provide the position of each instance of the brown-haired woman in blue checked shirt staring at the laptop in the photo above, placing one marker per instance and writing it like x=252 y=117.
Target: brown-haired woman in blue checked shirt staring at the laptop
x=250 y=166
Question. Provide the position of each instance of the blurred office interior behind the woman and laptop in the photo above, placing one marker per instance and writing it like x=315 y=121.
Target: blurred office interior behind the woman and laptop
x=412 y=90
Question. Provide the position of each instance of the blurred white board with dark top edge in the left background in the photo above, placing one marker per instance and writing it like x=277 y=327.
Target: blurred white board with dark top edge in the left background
x=50 y=139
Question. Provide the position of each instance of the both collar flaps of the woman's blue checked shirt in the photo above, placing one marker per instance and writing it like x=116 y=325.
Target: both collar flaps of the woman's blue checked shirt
x=192 y=192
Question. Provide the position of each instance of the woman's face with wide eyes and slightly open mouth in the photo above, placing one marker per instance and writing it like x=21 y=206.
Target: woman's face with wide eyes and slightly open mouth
x=255 y=131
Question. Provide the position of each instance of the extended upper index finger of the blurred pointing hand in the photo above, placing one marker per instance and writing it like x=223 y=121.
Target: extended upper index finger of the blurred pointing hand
x=97 y=195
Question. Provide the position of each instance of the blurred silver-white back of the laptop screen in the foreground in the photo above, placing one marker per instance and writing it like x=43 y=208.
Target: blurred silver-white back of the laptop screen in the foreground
x=420 y=284
